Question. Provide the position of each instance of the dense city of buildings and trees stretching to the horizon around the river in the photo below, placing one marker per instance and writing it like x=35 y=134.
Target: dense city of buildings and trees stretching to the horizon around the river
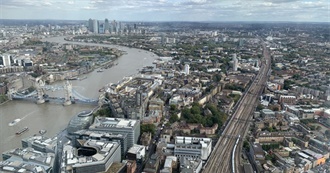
x=220 y=97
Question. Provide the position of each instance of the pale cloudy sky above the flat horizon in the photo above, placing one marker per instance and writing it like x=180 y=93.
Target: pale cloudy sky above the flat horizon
x=169 y=10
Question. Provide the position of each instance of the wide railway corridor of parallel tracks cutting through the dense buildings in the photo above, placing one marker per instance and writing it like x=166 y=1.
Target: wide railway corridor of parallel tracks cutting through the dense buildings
x=220 y=159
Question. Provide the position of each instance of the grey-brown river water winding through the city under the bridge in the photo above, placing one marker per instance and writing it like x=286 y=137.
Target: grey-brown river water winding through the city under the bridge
x=55 y=117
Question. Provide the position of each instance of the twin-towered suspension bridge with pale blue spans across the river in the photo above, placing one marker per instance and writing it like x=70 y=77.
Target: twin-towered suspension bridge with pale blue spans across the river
x=39 y=96
